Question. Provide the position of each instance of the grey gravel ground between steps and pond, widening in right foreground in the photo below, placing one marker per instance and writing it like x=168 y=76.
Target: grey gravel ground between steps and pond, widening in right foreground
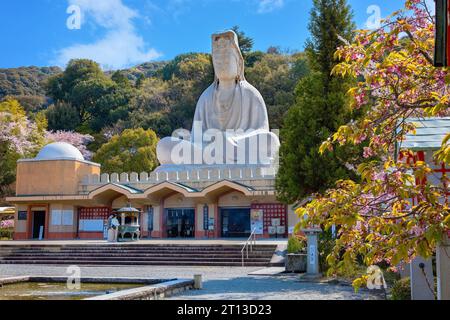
x=219 y=282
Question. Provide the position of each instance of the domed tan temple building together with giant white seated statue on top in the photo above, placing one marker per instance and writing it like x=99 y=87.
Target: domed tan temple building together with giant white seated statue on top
x=217 y=181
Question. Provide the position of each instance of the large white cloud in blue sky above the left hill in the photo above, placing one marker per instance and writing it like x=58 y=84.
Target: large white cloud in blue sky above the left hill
x=121 y=46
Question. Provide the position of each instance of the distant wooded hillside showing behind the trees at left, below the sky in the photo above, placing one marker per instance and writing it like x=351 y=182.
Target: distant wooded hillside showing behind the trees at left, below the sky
x=26 y=83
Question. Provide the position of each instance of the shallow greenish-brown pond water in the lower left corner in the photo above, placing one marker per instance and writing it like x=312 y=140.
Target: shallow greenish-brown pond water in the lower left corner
x=58 y=291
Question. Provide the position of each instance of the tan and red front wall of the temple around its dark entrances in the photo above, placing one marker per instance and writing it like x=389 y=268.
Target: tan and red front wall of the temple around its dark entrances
x=63 y=220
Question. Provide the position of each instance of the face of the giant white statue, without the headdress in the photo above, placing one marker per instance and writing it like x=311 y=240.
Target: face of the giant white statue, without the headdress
x=225 y=60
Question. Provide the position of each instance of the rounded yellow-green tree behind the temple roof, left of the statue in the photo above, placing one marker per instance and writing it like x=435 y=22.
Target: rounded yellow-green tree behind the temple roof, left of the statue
x=132 y=151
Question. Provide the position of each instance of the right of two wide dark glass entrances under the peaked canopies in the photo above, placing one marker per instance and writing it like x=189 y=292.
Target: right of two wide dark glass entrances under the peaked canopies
x=235 y=222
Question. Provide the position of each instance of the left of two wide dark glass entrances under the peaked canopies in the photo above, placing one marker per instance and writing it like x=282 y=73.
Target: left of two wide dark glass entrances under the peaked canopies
x=180 y=223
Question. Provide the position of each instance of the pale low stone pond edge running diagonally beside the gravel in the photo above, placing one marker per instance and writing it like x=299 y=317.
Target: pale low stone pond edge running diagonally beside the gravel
x=154 y=292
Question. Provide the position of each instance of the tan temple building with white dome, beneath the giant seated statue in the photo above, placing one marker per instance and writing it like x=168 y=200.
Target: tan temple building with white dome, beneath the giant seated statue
x=59 y=196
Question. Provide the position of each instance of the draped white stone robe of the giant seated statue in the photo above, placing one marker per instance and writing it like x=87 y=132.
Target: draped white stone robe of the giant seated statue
x=246 y=118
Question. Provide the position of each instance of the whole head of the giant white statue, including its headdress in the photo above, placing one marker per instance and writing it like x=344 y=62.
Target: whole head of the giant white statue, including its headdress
x=227 y=57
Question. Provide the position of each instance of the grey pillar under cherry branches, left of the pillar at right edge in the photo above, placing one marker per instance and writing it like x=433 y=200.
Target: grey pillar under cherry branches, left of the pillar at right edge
x=422 y=285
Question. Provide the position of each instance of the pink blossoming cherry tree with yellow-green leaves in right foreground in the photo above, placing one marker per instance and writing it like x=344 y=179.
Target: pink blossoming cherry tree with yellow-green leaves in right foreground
x=395 y=213
